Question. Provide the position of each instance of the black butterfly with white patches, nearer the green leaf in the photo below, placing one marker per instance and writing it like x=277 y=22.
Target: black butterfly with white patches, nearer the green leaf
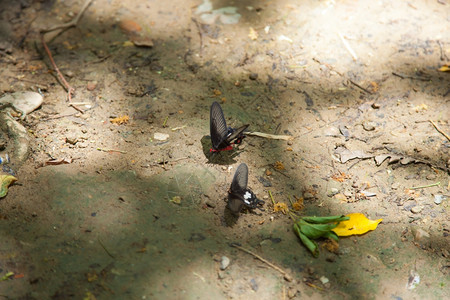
x=239 y=195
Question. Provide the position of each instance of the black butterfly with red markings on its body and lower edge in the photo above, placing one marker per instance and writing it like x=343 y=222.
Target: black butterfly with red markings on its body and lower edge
x=223 y=137
